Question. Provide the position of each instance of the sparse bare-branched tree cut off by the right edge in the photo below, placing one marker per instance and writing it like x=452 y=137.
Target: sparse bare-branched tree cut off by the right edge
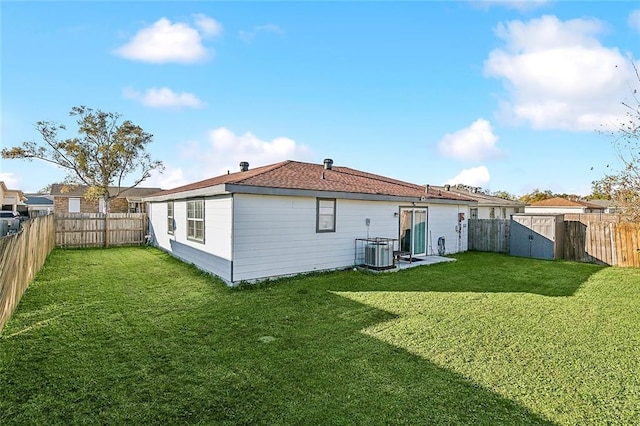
x=623 y=186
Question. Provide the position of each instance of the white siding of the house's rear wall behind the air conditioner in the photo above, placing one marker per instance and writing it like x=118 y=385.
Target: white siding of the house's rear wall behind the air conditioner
x=276 y=235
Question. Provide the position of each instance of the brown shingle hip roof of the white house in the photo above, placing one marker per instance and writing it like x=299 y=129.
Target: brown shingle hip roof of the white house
x=294 y=175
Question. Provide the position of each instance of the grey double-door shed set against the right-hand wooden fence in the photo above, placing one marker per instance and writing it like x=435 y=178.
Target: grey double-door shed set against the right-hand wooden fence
x=536 y=236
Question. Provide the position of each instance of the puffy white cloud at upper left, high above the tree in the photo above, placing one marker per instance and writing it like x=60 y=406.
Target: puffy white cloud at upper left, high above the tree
x=164 y=41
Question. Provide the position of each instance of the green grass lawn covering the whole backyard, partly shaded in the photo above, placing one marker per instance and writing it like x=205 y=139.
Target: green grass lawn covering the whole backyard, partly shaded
x=134 y=336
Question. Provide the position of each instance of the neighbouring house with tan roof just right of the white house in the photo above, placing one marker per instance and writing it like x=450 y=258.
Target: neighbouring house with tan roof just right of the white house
x=488 y=207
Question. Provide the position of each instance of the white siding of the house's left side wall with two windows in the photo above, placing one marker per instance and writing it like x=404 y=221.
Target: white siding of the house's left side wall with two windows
x=214 y=255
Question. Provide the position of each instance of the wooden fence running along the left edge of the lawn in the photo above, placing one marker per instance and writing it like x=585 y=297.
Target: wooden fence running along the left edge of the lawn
x=21 y=257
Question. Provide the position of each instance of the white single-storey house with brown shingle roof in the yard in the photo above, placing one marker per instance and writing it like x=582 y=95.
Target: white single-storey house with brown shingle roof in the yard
x=292 y=217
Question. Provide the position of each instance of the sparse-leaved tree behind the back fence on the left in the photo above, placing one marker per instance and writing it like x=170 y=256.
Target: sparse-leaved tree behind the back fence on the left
x=106 y=152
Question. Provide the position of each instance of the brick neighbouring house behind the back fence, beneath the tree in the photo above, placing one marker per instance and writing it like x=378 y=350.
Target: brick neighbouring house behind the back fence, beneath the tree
x=71 y=199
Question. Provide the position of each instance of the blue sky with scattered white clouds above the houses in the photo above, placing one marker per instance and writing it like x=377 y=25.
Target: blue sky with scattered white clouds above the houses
x=502 y=95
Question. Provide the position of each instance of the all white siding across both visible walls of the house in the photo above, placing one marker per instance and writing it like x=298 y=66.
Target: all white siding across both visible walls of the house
x=252 y=237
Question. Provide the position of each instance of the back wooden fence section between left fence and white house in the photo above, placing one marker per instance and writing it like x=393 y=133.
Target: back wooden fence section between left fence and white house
x=73 y=230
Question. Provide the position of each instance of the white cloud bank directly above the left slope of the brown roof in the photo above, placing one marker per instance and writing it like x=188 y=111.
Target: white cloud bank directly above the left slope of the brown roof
x=225 y=150
